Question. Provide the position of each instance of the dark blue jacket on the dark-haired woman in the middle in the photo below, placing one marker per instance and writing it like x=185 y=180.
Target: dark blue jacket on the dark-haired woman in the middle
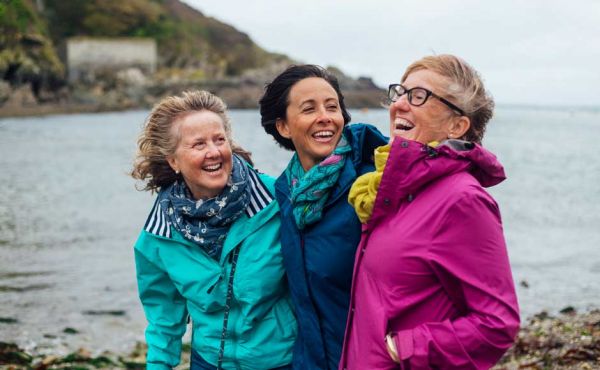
x=319 y=260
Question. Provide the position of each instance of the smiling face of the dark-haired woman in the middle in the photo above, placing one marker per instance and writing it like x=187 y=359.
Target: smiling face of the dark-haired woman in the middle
x=313 y=121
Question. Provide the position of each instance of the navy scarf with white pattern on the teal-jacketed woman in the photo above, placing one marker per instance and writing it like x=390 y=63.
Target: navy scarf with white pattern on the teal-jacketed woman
x=206 y=222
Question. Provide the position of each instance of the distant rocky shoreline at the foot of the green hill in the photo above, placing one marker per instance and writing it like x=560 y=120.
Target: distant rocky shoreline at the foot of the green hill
x=131 y=89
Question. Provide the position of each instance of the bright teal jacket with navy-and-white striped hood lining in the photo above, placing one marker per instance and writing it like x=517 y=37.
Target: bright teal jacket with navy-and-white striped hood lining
x=176 y=278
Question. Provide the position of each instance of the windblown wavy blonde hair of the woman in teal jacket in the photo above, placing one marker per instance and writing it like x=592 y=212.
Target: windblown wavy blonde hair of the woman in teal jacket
x=158 y=140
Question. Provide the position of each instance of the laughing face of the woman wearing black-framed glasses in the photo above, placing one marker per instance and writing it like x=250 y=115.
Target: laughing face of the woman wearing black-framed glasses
x=432 y=121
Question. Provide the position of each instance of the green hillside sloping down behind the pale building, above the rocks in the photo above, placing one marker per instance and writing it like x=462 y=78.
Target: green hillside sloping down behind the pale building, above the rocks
x=187 y=40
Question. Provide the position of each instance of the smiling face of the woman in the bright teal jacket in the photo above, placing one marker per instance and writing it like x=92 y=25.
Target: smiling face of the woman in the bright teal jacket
x=203 y=153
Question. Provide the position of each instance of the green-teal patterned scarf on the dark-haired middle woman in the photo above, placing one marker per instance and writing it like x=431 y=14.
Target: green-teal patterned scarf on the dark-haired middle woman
x=310 y=190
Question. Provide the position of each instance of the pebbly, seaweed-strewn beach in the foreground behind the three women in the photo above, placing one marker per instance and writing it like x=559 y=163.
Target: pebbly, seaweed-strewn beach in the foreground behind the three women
x=569 y=340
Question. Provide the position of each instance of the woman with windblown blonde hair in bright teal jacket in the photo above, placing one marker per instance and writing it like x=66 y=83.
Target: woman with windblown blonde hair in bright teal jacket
x=210 y=249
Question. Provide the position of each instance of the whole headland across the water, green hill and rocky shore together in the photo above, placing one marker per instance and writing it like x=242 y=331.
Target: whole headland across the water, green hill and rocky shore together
x=194 y=52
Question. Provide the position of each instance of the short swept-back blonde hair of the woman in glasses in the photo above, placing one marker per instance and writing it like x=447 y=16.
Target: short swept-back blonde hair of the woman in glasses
x=464 y=88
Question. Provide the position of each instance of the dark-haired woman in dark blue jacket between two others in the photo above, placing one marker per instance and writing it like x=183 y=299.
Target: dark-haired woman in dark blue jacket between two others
x=303 y=109
